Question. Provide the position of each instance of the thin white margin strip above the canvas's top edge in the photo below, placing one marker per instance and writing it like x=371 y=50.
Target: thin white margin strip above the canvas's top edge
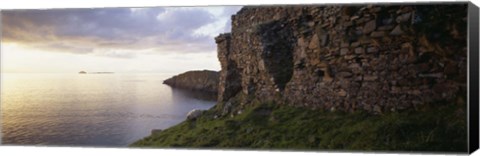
x=46 y=4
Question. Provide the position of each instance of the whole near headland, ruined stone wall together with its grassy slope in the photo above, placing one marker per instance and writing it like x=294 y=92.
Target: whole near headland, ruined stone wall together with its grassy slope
x=342 y=77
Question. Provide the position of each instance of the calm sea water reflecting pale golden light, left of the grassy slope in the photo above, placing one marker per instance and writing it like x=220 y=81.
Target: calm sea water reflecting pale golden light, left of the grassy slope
x=89 y=110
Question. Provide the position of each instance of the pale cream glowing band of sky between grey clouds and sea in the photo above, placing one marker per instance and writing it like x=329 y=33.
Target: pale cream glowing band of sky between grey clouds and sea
x=17 y=58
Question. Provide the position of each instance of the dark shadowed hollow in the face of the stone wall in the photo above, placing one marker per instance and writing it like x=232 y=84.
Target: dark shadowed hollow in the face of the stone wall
x=277 y=40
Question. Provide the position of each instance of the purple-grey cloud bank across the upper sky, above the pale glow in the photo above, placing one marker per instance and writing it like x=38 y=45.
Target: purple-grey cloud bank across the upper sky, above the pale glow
x=108 y=31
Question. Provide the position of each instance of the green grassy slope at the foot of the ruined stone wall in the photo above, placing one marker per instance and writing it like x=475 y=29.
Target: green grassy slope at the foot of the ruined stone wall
x=269 y=126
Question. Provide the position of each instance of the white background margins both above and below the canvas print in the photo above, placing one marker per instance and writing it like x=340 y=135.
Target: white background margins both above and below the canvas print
x=74 y=151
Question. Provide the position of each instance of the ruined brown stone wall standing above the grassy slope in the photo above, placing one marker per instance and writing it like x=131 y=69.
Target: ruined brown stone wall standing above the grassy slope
x=376 y=58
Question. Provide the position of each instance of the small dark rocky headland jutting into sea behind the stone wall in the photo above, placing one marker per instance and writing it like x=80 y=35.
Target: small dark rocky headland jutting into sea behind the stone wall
x=206 y=81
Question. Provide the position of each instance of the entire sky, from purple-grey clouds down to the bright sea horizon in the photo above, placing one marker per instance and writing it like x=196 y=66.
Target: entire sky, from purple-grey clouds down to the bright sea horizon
x=124 y=40
